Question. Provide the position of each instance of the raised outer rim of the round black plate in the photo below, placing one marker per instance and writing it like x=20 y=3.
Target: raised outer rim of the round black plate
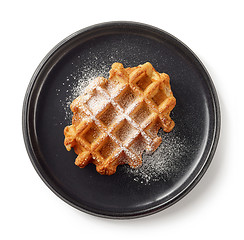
x=42 y=174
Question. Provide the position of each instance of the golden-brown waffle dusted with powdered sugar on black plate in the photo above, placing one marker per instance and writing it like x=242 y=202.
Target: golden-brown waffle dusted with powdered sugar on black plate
x=116 y=119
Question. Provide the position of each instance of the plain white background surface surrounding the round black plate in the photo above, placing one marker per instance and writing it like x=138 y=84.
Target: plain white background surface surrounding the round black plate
x=212 y=29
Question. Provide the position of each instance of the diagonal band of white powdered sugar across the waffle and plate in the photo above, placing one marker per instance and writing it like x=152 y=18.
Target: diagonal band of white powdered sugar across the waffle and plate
x=155 y=166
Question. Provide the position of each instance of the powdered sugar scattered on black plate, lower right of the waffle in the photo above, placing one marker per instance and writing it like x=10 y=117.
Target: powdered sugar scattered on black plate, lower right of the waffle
x=164 y=163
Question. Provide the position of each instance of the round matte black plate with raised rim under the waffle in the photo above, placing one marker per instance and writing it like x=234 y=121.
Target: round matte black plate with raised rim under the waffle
x=190 y=146
